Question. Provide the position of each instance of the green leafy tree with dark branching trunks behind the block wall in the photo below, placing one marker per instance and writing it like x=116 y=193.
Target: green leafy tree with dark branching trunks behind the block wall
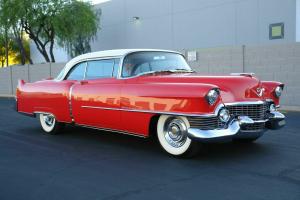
x=71 y=22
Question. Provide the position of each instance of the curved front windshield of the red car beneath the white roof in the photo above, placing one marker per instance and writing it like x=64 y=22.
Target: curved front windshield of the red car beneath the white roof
x=140 y=63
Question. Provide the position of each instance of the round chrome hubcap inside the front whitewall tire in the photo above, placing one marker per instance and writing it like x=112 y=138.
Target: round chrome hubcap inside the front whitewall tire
x=175 y=132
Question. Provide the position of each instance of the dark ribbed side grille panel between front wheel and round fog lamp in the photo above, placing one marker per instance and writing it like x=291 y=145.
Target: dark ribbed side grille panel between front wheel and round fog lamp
x=208 y=123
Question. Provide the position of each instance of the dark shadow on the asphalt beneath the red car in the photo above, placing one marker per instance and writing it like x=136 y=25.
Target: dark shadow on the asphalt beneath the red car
x=151 y=147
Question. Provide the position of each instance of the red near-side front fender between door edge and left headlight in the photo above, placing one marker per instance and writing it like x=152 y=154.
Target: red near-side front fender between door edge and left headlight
x=184 y=98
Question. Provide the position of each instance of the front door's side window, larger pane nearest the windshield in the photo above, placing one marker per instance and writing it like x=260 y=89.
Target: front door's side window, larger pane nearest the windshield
x=100 y=69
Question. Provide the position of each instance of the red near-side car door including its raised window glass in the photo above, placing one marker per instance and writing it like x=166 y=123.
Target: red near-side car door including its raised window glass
x=96 y=99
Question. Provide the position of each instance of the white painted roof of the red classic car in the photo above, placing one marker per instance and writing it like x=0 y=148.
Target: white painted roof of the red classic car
x=104 y=54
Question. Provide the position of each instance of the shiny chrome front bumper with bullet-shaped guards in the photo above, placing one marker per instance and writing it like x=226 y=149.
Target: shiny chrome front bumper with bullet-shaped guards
x=234 y=128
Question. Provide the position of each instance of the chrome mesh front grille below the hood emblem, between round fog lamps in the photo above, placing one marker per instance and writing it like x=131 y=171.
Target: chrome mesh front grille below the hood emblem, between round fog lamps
x=254 y=111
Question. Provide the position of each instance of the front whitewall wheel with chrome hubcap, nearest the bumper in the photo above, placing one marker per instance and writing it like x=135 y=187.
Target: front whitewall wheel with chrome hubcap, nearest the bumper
x=172 y=136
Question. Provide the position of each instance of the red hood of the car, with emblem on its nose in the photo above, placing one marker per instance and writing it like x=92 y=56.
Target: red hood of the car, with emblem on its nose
x=233 y=87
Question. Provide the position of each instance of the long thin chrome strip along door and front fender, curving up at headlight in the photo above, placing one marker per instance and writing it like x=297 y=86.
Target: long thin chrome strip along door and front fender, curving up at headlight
x=158 y=112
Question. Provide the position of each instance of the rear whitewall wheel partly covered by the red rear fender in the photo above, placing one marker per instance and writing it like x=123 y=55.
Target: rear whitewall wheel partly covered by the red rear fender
x=49 y=124
